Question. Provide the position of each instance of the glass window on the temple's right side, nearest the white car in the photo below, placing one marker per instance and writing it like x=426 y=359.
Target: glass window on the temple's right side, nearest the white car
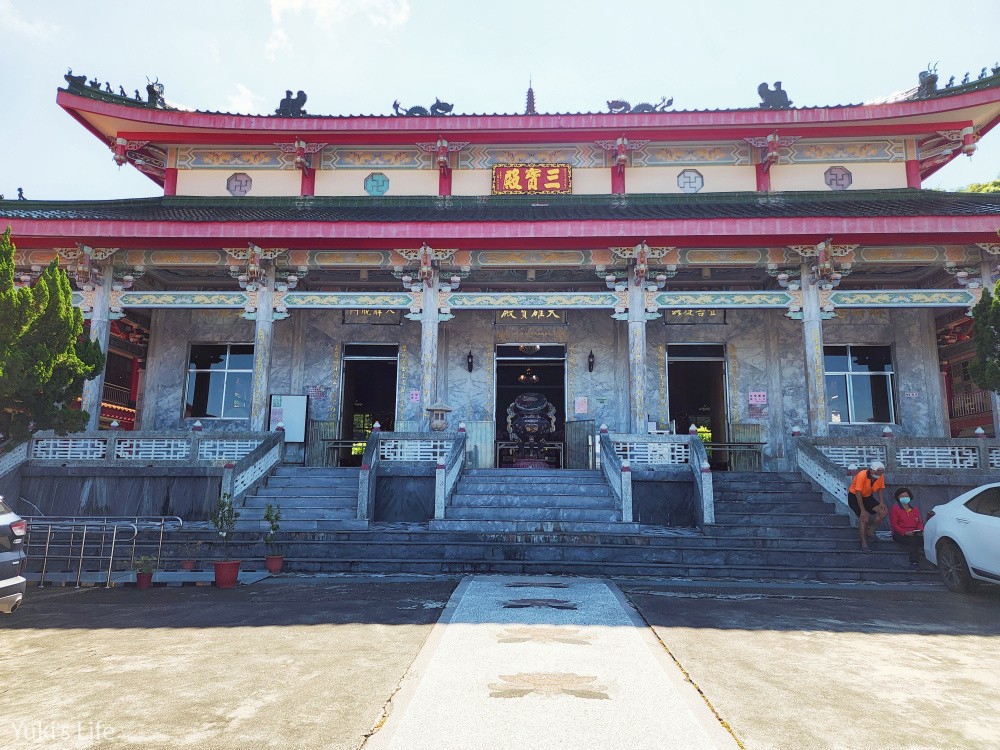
x=859 y=384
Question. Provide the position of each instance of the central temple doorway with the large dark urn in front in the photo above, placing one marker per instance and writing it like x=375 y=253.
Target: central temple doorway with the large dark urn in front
x=523 y=370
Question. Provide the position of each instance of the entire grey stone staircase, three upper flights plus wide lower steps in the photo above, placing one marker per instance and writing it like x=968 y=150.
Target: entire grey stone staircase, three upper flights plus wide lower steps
x=769 y=527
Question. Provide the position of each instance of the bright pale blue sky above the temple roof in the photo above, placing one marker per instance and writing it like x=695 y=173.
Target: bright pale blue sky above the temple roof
x=357 y=56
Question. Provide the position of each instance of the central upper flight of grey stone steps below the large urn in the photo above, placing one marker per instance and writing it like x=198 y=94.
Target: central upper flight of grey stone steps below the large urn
x=530 y=501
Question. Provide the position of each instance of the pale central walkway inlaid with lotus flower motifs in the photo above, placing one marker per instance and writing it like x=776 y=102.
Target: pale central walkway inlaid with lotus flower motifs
x=545 y=663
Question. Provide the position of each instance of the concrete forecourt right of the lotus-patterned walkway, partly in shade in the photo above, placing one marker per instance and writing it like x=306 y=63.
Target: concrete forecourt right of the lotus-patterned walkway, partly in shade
x=837 y=668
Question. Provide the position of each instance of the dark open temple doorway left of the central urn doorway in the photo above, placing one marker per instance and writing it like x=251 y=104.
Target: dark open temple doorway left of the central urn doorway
x=368 y=395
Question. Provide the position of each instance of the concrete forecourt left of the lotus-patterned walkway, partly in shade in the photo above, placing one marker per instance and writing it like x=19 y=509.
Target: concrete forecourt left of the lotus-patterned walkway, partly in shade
x=285 y=663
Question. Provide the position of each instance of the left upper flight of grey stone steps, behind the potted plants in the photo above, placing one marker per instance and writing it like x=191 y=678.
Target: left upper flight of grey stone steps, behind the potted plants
x=311 y=499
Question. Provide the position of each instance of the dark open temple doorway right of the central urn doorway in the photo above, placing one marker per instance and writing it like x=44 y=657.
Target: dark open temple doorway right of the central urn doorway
x=697 y=377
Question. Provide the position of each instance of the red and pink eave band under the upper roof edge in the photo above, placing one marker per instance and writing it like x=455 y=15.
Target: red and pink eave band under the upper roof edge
x=879 y=119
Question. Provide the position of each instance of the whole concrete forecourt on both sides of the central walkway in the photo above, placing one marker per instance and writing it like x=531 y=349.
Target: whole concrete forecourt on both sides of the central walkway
x=312 y=662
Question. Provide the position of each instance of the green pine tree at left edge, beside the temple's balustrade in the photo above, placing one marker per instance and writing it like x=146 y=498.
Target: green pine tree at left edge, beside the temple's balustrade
x=44 y=357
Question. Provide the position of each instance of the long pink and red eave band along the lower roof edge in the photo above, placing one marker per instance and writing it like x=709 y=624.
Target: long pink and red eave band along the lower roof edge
x=743 y=232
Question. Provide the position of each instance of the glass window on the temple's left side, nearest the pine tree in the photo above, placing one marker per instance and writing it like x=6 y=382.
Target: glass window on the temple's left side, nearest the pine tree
x=220 y=381
